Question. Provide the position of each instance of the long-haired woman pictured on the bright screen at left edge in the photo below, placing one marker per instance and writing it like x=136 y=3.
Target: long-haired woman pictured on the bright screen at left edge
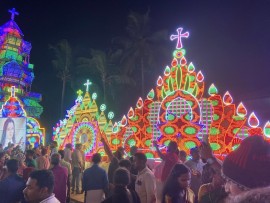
x=8 y=135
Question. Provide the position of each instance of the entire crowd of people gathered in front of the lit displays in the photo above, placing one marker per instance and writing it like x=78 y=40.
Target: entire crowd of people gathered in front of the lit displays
x=48 y=175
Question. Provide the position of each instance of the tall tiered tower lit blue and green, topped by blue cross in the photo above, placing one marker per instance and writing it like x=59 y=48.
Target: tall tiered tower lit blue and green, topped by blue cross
x=15 y=67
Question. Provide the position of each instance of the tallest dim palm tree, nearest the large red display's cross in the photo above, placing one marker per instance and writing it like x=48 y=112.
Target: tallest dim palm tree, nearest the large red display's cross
x=142 y=48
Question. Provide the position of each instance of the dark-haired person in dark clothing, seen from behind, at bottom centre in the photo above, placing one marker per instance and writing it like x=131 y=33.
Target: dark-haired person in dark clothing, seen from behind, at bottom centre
x=121 y=194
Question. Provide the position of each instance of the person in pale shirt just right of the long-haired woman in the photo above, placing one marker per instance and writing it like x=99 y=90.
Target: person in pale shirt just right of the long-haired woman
x=195 y=164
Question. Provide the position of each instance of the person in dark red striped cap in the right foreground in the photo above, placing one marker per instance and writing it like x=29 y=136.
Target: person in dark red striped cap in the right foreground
x=244 y=169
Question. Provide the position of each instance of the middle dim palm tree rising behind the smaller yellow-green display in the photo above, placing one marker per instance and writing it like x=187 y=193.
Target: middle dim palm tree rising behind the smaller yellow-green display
x=103 y=65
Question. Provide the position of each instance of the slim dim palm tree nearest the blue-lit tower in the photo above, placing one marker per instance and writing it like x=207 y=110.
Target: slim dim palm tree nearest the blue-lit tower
x=62 y=64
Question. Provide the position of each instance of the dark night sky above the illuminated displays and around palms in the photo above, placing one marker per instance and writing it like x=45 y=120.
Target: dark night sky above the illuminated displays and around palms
x=229 y=41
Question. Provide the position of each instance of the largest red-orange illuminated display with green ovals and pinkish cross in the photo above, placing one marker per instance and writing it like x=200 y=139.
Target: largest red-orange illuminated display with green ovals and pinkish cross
x=179 y=112
